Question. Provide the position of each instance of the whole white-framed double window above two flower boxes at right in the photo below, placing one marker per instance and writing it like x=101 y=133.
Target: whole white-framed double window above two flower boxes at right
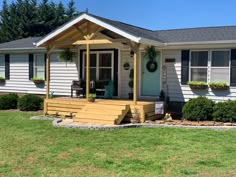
x=210 y=66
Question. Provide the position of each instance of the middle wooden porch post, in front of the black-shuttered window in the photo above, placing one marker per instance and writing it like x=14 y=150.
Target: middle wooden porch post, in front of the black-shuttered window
x=87 y=71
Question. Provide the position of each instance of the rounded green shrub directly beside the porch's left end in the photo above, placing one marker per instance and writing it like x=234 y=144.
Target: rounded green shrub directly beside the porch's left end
x=30 y=103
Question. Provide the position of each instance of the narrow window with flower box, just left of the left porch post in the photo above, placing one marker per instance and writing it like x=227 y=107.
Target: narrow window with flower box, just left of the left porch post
x=39 y=66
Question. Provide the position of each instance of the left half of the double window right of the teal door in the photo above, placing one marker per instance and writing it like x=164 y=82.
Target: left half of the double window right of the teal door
x=198 y=66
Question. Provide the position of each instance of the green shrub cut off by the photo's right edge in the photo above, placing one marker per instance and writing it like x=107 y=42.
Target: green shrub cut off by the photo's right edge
x=225 y=111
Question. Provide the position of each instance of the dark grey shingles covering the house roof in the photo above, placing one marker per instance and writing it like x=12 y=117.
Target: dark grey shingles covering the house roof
x=167 y=36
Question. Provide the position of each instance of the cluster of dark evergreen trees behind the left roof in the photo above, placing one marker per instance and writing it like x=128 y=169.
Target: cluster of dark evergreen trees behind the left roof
x=24 y=18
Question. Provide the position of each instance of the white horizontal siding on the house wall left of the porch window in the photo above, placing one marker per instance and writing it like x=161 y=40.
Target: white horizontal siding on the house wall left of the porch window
x=62 y=75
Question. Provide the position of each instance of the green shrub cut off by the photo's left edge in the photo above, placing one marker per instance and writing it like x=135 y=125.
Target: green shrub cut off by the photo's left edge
x=8 y=101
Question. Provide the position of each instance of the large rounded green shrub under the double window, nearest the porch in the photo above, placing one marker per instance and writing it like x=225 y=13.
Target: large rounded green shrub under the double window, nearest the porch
x=200 y=108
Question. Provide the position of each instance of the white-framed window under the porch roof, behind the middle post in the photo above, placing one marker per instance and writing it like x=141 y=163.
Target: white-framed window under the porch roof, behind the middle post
x=101 y=65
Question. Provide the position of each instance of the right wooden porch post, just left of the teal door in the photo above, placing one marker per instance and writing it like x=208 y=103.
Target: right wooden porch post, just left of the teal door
x=136 y=51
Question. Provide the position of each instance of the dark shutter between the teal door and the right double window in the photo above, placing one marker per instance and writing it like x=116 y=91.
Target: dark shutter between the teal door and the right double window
x=185 y=55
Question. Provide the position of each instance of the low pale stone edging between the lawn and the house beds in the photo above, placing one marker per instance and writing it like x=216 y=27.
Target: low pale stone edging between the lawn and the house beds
x=56 y=123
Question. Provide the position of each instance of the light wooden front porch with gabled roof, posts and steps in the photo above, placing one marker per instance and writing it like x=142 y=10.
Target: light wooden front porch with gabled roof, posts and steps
x=83 y=34
